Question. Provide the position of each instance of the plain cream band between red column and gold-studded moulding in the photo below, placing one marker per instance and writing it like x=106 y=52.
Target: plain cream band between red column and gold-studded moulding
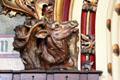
x=101 y=47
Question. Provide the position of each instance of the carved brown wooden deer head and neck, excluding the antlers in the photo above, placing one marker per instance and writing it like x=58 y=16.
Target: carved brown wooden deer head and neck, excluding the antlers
x=45 y=44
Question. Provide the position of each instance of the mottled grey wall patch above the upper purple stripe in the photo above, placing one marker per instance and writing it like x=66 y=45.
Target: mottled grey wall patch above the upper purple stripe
x=8 y=24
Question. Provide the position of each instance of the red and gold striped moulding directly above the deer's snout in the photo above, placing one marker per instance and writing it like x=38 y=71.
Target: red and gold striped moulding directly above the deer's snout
x=63 y=8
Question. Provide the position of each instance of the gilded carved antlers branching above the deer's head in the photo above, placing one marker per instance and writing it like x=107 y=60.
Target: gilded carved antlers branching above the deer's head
x=39 y=9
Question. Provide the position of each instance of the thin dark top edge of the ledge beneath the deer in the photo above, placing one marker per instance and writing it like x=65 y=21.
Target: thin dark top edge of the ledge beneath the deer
x=52 y=71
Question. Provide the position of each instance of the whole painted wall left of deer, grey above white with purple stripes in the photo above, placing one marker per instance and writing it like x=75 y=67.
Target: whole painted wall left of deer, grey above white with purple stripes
x=9 y=58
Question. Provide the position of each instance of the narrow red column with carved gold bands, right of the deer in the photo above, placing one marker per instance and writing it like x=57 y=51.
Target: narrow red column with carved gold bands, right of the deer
x=88 y=34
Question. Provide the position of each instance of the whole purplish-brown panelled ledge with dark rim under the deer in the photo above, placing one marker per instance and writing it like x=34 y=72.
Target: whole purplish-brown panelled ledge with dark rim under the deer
x=49 y=75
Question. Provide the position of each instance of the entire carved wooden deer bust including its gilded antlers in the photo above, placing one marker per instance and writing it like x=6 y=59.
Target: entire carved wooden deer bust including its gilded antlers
x=43 y=44
